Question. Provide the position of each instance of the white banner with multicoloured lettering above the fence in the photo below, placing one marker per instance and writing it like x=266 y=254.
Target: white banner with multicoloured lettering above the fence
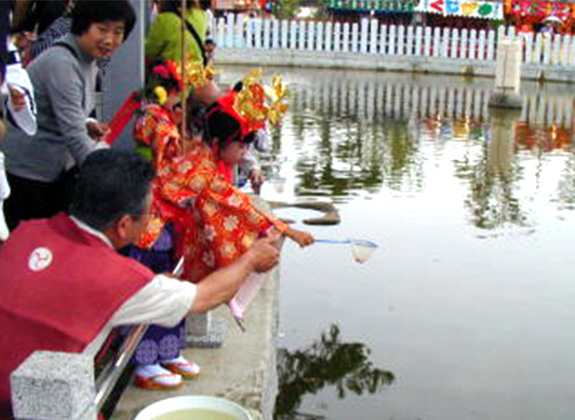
x=485 y=9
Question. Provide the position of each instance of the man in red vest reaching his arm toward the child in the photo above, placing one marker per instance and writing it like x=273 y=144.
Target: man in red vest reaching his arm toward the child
x=63 y=286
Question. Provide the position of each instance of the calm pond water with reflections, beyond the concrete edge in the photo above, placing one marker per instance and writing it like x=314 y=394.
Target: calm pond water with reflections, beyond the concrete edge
x=467 y=308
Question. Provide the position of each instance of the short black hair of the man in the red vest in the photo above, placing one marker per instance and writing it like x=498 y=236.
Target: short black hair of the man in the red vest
x=111 y=184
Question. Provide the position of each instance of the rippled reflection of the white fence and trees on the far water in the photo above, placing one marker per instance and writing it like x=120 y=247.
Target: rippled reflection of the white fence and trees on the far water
x=353 y=136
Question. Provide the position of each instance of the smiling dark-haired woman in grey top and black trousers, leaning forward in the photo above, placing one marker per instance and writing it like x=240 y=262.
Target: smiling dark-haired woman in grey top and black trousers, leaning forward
x=64 y=80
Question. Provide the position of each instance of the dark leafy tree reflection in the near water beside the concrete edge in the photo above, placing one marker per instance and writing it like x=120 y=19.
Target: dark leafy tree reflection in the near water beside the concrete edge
x=327 y=362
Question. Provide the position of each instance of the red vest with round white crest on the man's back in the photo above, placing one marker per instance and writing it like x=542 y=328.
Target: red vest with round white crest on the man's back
x=59 y=286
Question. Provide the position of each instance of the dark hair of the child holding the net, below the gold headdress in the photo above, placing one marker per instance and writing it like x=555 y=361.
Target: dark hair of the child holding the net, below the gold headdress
x=222 y=128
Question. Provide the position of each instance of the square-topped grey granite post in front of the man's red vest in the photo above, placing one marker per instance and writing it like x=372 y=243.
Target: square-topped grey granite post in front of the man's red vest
x=54 y=386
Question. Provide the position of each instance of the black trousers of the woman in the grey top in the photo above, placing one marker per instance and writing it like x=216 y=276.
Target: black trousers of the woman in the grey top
x=31 y=199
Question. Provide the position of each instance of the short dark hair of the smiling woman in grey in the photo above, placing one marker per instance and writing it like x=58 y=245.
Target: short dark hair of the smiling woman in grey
x=88 y=12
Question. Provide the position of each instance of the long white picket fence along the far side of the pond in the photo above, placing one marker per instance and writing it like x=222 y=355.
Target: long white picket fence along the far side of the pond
x=369 y=37
